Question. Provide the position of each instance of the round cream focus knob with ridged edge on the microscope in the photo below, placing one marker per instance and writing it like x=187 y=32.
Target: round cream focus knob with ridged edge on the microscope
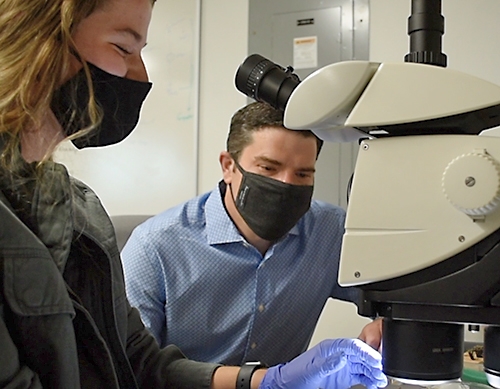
x=471 y=182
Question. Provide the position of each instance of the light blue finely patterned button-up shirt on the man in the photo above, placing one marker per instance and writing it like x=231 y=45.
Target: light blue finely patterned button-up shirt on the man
x=200 y=285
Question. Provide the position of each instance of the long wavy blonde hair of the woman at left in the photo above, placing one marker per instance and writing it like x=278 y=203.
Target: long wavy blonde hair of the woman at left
x=35 y=48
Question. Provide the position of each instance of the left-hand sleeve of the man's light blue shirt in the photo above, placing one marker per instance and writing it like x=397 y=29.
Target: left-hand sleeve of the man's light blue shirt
x=145 y=283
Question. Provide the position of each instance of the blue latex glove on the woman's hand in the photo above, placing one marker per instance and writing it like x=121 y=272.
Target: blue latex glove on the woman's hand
x=331 y=364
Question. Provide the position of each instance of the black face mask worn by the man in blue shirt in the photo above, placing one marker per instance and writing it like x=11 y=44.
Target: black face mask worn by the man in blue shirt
x=271 y=207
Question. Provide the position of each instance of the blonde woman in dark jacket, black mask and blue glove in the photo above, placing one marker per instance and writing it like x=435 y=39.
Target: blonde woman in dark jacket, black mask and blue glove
x=73 y=68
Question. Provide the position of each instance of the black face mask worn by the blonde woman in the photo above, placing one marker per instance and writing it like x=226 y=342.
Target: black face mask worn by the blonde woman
x=119 y=98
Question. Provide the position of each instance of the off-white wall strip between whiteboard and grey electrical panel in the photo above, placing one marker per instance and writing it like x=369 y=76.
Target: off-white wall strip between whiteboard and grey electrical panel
x=224 y=36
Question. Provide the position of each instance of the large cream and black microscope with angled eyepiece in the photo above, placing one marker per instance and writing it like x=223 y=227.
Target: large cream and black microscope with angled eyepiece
x=422 y=233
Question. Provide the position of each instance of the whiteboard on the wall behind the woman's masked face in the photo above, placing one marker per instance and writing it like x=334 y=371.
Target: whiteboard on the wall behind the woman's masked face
x=155 y=167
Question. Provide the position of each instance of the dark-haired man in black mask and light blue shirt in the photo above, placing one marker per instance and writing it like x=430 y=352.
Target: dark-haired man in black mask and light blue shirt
x=242 y=273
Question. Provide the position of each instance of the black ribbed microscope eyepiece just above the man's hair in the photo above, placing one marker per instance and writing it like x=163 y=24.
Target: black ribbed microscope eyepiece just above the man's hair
x=263 y=80
